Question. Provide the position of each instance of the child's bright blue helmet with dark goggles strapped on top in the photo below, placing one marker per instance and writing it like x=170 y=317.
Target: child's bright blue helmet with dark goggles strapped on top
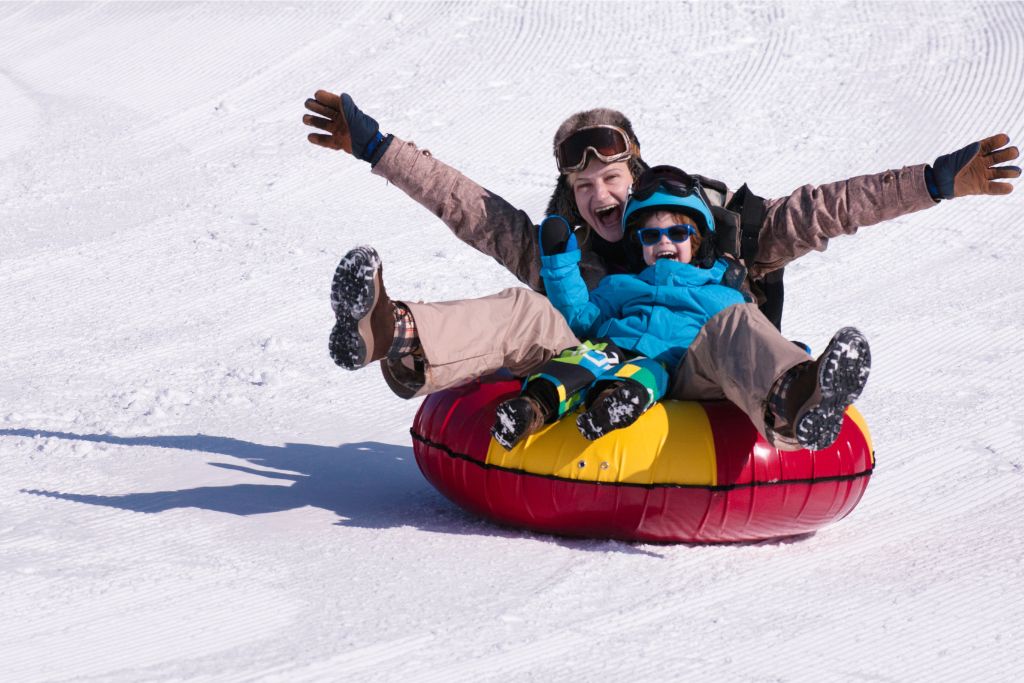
x=668 y=189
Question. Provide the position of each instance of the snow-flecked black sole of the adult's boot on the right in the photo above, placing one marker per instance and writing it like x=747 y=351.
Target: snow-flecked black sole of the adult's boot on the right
x=842 y=376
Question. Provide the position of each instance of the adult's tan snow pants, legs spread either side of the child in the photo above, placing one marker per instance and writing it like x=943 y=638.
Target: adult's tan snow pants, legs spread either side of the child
x=738 y=356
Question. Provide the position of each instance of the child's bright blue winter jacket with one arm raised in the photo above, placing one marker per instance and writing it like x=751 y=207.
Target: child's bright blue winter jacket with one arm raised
x=657 y=313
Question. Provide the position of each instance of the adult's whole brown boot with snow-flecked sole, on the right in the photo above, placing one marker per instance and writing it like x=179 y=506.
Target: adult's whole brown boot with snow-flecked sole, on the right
x=809 y=402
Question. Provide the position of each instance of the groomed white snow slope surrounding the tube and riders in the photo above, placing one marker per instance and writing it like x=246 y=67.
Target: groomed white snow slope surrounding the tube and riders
x=190 y=489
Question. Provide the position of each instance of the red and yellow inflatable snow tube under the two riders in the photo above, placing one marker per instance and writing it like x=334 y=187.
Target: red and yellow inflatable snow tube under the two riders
x=685 y=473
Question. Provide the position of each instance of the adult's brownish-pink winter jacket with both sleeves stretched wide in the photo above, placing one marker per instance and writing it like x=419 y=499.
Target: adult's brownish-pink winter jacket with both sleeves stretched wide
x=805 y=221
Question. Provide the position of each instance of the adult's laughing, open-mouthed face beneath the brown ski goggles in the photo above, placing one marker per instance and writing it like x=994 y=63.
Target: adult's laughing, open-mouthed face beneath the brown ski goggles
x=601 y=192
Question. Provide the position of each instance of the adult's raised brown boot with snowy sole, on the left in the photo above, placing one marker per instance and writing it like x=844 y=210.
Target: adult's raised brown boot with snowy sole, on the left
x=365 y=326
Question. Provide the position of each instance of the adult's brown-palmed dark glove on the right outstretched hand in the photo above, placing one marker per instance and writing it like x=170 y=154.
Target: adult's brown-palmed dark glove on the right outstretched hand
x=973 y=170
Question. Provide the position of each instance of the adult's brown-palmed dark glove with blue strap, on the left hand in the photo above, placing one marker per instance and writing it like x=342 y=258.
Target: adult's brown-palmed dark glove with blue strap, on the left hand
x=350 y=129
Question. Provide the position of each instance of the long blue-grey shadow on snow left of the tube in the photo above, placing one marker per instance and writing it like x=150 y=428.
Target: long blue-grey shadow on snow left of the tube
x=368 y=485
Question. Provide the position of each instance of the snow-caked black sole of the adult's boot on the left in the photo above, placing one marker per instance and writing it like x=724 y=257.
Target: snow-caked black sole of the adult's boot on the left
x=355 y=291
